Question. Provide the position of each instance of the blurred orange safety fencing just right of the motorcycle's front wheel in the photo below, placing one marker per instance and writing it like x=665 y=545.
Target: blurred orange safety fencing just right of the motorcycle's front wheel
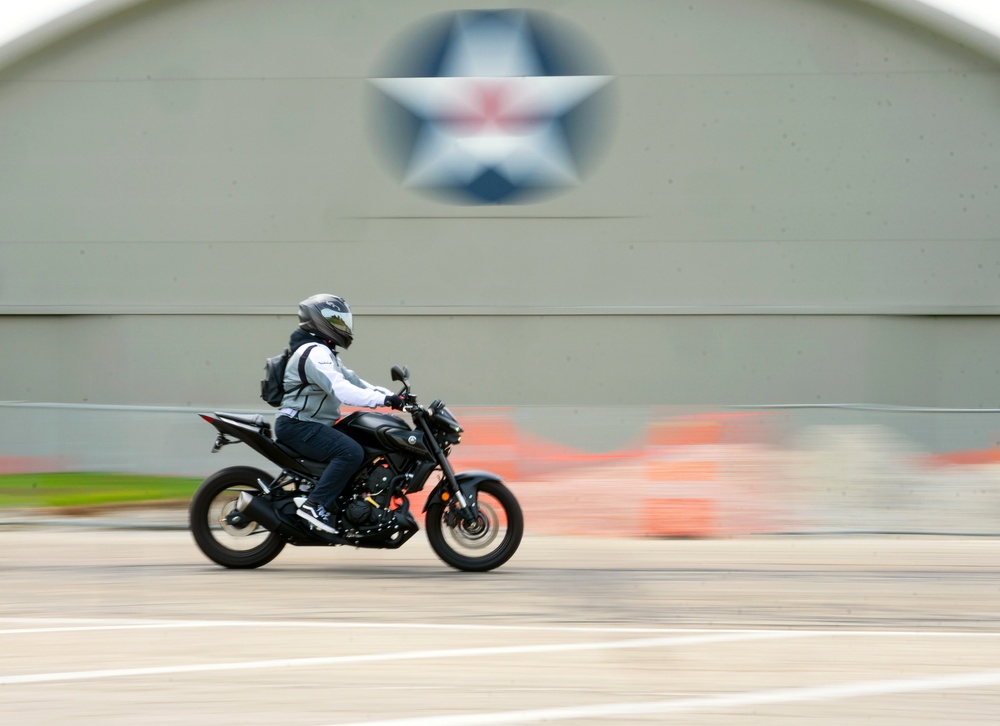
x=697 y=476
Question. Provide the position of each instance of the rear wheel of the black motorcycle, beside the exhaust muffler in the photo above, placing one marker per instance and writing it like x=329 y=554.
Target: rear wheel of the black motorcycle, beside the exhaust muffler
x=237 y=547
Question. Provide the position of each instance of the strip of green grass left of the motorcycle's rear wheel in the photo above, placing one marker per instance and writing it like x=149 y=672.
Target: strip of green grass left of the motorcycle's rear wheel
x=88 y=489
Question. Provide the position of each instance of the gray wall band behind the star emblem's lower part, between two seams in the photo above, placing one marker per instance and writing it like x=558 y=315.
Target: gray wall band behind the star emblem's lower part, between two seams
x=837 y=157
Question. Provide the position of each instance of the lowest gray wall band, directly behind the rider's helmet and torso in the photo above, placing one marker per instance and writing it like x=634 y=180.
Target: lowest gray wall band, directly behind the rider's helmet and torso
x=216 y=360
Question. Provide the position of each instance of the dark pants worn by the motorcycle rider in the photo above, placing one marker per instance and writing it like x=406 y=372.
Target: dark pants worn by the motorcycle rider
x=320 y=442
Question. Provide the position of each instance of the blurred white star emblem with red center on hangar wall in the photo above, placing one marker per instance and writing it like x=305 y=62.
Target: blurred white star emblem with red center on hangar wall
x=492 y=122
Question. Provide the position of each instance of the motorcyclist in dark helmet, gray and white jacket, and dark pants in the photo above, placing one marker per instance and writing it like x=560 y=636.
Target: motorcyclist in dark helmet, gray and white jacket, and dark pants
x=309 y=408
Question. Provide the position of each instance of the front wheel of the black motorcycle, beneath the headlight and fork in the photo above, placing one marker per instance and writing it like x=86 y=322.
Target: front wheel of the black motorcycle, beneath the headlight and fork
x=481 y=545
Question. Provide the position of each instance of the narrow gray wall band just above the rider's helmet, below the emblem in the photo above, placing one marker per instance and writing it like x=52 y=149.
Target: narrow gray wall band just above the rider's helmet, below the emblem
x=505 y=274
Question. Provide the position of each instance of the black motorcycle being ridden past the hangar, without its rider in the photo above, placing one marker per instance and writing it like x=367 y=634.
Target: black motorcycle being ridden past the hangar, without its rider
x=243 y=517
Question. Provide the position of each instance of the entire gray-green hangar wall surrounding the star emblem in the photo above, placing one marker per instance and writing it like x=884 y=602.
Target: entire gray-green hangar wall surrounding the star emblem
x=797 y=205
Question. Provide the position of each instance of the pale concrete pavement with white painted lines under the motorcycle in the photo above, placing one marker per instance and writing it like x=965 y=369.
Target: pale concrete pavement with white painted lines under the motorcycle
x=107 y=625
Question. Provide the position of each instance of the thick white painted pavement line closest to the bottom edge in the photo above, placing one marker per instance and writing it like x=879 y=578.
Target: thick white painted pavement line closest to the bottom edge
x=840 y=691
